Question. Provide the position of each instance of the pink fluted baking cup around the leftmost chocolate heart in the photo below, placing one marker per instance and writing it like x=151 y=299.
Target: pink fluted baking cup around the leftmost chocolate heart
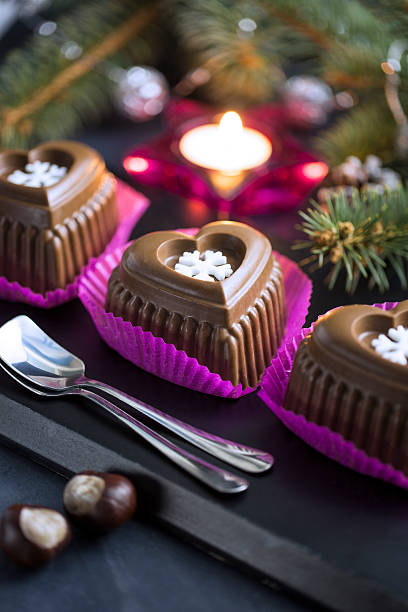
x=131 y=206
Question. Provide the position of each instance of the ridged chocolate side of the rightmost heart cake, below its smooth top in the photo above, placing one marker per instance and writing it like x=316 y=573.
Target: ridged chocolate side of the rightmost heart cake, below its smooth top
x=375 y=425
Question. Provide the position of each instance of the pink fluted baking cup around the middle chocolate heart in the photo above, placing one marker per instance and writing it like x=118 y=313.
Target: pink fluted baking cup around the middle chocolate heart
x=156 y=356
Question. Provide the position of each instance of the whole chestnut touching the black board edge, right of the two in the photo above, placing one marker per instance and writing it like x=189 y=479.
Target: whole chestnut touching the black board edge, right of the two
x=99 y=501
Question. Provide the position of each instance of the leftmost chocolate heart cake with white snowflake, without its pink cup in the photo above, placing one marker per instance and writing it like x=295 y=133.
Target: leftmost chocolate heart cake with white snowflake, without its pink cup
x=57 y=210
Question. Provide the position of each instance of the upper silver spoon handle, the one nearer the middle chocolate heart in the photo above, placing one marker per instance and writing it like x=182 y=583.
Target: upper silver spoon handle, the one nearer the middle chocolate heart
x=243 y=457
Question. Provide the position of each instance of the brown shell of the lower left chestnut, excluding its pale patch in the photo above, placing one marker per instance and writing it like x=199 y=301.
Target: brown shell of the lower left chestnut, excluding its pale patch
x=18 y=547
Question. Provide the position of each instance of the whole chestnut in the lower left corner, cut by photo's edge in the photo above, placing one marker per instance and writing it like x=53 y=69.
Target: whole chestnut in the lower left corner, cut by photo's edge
x=33 y=535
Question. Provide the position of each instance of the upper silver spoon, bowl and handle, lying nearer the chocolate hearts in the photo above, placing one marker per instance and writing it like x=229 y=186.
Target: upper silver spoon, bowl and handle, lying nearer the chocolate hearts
x=30 y=352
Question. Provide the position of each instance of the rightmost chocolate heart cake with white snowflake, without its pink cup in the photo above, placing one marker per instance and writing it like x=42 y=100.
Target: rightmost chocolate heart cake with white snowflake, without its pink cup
x=351 y=375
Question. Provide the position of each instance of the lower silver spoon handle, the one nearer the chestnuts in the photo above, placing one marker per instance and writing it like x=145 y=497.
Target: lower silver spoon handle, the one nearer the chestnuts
x=214 y=477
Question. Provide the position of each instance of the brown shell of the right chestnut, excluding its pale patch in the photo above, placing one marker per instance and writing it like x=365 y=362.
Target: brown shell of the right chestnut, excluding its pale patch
x=116 y=505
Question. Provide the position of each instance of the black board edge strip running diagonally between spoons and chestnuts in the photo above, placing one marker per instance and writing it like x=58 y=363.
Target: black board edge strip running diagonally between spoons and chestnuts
x=209 y=522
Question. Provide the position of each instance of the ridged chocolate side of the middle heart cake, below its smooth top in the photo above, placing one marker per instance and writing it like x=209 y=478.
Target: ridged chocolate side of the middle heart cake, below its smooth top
x=239 y=353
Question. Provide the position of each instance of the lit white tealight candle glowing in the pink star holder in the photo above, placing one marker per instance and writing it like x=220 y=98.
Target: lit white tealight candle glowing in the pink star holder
x=227 y=147
